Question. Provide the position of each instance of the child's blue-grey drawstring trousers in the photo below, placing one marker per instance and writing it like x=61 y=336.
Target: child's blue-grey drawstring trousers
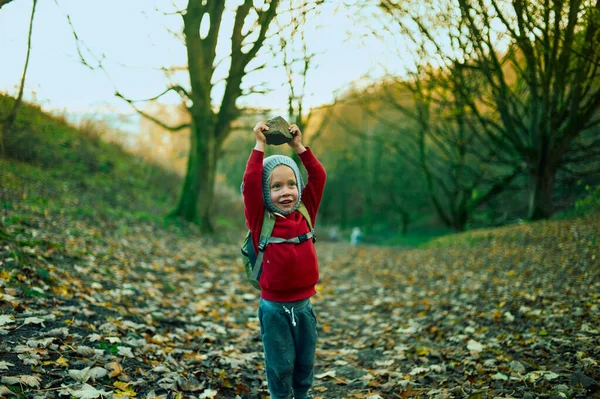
x=289 y=334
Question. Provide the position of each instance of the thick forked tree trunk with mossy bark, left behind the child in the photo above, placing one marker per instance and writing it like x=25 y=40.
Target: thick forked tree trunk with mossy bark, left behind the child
x=211 y=125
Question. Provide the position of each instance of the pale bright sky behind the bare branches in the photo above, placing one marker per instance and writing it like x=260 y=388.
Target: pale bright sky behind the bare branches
x=134 y=40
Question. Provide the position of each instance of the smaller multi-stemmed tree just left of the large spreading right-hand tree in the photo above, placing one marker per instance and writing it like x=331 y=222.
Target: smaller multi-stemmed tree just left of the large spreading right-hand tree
x=446 y=148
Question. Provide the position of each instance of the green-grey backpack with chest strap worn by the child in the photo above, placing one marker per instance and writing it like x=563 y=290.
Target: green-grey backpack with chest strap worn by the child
x=253 y=261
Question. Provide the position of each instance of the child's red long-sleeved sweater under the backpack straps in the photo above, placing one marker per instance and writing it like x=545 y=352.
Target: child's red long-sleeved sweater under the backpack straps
x=290 y=271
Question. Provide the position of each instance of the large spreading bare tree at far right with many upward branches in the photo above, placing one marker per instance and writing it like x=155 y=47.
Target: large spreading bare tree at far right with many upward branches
x=540 y=66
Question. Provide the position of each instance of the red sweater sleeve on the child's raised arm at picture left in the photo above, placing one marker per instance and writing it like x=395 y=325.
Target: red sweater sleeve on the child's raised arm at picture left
x=254 y=209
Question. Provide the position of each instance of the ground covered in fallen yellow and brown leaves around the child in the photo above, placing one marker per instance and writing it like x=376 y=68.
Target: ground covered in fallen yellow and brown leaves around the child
x=97 y=310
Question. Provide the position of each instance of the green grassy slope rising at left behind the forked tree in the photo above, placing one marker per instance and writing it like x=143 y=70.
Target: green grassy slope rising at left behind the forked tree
x=50 y=166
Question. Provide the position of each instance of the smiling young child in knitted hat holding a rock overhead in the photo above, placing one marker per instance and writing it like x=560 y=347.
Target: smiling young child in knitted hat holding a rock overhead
x=289 y=271
